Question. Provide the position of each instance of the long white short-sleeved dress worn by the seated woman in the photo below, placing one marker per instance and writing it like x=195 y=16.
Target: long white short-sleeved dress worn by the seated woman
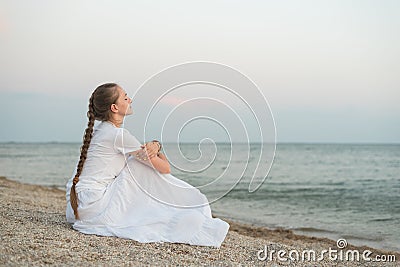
x=120 y=196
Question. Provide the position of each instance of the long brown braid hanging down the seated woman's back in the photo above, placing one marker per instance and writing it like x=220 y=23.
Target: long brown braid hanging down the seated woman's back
x=84 y=148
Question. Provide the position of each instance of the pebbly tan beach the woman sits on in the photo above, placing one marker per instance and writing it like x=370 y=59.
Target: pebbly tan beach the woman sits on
x=34 y=232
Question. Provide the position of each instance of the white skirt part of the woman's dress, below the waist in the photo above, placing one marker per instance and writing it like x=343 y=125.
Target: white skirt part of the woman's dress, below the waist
x=146 y=206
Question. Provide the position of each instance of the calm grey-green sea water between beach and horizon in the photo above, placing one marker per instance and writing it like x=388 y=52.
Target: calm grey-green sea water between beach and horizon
x=349 y=191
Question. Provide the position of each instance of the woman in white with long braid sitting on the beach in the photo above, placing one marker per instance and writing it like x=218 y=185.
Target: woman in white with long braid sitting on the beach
x=124 y=189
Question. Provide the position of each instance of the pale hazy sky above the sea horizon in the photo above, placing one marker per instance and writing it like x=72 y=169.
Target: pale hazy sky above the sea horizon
x=329 y=70
